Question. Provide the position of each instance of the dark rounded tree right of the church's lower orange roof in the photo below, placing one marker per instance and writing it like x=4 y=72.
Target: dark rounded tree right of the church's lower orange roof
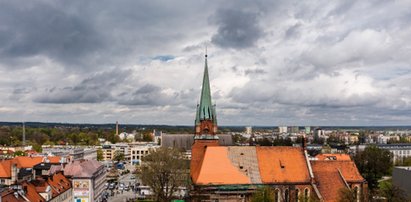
x=373 y=163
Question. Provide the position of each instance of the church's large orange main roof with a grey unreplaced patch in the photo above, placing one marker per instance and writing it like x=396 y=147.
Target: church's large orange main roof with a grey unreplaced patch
x=252 y=165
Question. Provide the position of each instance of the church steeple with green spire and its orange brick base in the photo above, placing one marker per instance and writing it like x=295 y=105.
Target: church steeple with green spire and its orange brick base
x=206 y=122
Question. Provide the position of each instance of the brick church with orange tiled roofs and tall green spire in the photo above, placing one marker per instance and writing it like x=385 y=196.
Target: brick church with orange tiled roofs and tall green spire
x=235 y=173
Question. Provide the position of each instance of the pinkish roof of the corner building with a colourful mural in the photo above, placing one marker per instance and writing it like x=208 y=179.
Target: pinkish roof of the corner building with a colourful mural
x=82 y=168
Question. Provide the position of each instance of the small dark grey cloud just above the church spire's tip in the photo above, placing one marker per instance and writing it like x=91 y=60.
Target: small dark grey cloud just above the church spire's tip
x=236 y=29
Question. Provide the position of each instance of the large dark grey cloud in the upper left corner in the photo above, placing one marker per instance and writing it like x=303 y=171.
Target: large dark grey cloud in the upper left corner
x=30 y=28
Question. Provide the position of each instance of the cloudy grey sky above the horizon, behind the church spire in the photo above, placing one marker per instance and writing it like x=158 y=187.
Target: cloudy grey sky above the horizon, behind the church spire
x=273 y=63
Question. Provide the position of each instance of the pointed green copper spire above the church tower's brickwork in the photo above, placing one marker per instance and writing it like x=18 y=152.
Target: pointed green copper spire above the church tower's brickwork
x=205 y=110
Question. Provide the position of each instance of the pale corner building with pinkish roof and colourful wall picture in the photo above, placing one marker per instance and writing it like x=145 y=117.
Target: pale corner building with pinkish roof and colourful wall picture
x=88 y=178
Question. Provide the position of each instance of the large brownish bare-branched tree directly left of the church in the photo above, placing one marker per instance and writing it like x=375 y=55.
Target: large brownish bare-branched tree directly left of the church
x=164 y=170
